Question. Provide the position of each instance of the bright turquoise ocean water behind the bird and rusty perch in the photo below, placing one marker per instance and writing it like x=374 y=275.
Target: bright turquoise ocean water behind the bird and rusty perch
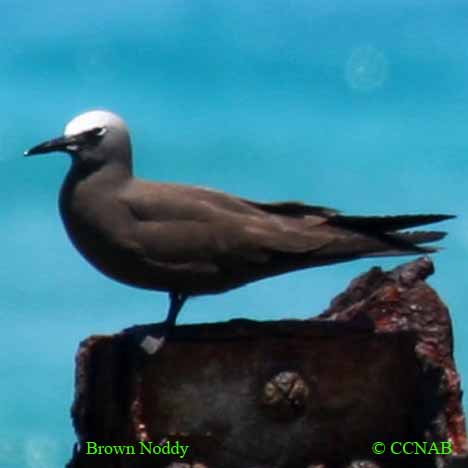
x=357 y=105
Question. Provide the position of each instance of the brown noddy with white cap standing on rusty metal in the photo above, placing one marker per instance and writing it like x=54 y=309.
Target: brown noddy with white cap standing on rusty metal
x=189 y=240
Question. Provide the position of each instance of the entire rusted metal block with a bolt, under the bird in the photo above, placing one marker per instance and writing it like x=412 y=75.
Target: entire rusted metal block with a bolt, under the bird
x=376 y=366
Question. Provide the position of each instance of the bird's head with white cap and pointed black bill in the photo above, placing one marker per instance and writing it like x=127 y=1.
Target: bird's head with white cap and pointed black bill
x=93 y=139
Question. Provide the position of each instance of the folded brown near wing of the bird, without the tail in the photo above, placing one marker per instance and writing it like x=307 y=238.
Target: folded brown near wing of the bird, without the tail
x=189 y=224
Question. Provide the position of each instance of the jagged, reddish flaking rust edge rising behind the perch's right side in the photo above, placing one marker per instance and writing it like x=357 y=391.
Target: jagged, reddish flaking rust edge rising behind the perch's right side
x=401 y=300
